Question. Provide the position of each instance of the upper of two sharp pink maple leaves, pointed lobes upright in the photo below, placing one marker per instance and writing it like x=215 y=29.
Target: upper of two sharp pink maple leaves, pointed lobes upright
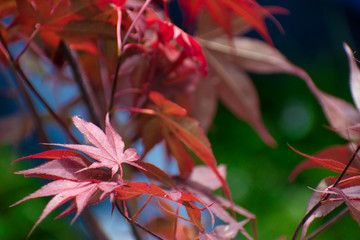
x=108 y=149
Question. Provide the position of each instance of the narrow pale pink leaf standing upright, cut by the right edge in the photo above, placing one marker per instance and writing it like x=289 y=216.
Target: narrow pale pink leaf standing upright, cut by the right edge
x=354 y=76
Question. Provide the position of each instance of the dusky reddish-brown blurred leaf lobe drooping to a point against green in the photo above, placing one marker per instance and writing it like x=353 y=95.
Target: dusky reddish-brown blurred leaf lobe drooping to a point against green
x=238 y=93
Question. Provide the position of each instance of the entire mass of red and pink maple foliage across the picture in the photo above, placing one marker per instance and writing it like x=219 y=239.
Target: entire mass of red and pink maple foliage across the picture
x=140 y=76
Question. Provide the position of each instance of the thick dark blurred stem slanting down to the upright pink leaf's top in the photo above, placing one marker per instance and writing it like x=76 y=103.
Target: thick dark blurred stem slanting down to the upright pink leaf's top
x=79 y=80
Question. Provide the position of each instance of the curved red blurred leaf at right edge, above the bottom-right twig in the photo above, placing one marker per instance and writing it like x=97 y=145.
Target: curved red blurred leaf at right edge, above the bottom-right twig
x=334 y=158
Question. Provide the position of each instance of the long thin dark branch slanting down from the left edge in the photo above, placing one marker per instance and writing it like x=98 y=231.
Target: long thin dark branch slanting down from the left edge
x=19 y=70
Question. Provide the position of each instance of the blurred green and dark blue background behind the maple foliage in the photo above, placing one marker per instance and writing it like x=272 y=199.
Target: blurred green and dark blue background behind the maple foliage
x=257 y=174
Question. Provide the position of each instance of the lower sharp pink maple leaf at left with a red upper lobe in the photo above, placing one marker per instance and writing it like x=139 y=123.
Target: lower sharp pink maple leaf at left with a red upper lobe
x=72 y=182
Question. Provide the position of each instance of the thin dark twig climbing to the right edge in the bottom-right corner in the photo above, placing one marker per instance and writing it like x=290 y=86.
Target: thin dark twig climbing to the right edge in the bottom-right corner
x=326 y=196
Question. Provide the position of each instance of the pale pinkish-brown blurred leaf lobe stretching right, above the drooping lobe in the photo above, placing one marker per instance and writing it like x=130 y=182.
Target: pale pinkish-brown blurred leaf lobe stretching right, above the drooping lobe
x=249 y=54
